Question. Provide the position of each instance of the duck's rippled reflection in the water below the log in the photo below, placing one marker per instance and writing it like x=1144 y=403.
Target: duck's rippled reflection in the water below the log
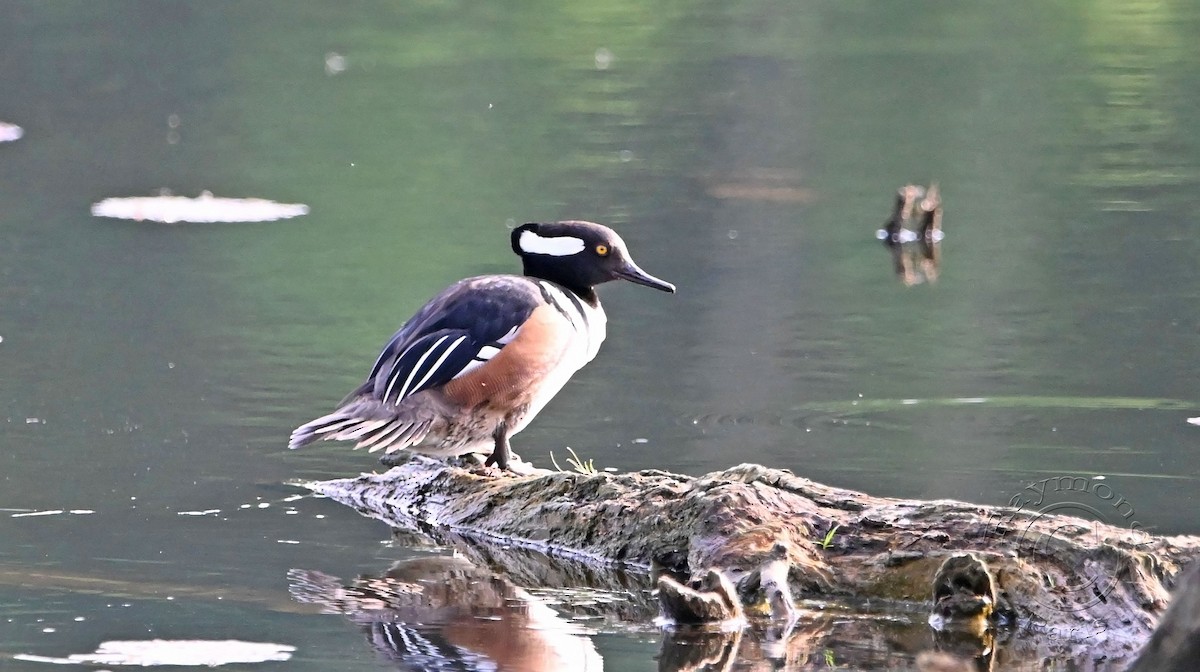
x=445 y=614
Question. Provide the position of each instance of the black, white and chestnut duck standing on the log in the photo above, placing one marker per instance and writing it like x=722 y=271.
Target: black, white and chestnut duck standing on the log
x=478 y=363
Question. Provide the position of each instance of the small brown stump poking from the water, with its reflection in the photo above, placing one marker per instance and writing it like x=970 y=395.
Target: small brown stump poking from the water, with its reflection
x=916 y=251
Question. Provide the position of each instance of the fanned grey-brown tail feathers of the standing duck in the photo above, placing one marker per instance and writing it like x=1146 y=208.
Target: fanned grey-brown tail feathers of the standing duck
x=371 y=425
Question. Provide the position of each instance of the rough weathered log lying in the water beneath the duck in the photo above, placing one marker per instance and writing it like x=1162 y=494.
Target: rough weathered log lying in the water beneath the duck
x=769 y=532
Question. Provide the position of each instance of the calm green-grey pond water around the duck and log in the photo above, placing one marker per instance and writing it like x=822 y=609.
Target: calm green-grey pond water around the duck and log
x=747 y=152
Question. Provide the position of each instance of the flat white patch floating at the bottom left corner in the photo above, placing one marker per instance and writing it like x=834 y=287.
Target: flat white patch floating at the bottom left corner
x=172 y=652
